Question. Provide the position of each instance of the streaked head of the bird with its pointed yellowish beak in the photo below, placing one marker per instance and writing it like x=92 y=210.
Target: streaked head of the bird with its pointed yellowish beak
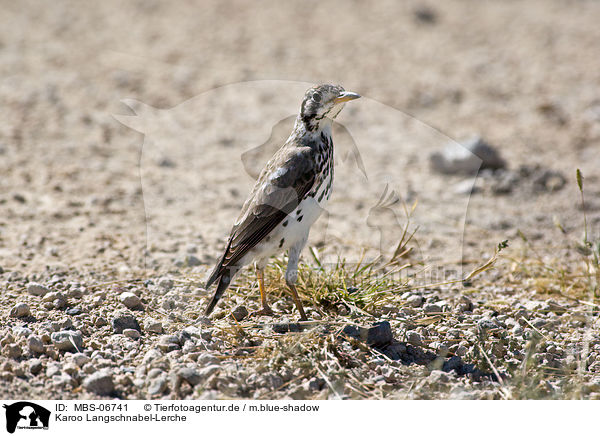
x=322 y=103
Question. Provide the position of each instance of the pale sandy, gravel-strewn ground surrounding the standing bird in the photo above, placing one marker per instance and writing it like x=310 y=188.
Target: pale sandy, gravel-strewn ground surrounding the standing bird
x=130 y=134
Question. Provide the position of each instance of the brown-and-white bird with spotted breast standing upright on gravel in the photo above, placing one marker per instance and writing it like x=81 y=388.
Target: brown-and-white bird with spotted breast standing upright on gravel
x=290 y=193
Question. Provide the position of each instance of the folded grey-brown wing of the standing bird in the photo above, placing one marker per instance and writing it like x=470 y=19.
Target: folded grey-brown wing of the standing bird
x=280 y=188
